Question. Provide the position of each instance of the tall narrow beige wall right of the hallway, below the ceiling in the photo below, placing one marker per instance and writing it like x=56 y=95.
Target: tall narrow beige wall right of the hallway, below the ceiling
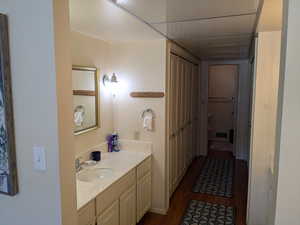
x=261 y=179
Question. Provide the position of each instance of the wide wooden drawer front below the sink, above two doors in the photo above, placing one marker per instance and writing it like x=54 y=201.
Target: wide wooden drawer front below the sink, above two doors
x=111 y=194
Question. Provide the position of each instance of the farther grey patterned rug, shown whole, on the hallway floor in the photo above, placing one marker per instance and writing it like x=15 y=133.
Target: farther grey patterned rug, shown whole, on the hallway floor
x=216 y=178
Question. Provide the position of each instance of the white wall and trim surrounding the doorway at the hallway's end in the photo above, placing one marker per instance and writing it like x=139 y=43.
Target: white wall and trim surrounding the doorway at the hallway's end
x=242 y=148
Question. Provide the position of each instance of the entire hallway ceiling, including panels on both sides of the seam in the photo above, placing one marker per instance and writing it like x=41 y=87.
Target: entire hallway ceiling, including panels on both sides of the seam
x=208 y=28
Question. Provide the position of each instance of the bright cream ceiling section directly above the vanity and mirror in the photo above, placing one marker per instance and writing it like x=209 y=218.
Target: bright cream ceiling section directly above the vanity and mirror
x=104 y=20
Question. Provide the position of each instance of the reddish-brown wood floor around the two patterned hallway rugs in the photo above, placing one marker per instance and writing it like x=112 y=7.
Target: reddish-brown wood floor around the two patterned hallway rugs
x=184 y=194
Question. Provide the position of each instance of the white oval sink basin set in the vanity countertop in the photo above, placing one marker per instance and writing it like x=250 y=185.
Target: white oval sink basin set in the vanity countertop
x=89 y=175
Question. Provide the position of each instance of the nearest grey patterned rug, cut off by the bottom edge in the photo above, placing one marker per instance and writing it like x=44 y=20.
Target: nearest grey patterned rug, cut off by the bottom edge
x=205 y=213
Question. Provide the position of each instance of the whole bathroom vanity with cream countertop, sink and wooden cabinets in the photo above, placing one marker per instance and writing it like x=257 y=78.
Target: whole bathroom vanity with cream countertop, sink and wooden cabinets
x=116 y=191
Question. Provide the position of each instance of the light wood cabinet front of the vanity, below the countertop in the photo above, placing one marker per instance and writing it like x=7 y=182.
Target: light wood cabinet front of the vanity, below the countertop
x=123 y=203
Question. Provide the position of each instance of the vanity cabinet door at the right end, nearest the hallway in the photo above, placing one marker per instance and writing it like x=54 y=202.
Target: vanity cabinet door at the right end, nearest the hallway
x=143 y=195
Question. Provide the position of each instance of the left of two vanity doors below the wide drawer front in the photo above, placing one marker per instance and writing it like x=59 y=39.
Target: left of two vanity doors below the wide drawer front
x=110 y=216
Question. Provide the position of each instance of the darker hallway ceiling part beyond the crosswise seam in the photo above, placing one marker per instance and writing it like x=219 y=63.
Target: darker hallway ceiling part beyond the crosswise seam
x=225 y=38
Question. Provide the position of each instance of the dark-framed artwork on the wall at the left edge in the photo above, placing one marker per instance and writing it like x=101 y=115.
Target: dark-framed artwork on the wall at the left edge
x=8 y=168
